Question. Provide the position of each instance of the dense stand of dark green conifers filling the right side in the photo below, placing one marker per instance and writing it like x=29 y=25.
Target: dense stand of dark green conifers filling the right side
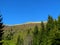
x=49 y=33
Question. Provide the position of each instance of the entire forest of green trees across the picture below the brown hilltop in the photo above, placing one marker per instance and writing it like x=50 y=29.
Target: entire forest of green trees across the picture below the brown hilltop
x=47 y=33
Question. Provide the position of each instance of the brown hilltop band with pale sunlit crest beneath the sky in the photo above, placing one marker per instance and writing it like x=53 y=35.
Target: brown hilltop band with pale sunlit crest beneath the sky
x=22 y=26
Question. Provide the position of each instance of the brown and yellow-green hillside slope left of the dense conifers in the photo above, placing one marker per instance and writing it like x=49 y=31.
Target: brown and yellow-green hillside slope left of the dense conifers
x=21 y=30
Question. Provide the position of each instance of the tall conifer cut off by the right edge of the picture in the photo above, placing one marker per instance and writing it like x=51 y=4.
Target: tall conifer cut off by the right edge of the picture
x=57 y=34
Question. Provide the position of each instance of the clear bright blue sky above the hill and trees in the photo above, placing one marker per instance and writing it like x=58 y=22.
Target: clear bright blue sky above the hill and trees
x=21 y=11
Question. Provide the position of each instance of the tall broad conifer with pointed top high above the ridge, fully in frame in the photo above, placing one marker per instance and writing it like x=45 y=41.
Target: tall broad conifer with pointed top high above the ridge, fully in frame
x=49 y=30
